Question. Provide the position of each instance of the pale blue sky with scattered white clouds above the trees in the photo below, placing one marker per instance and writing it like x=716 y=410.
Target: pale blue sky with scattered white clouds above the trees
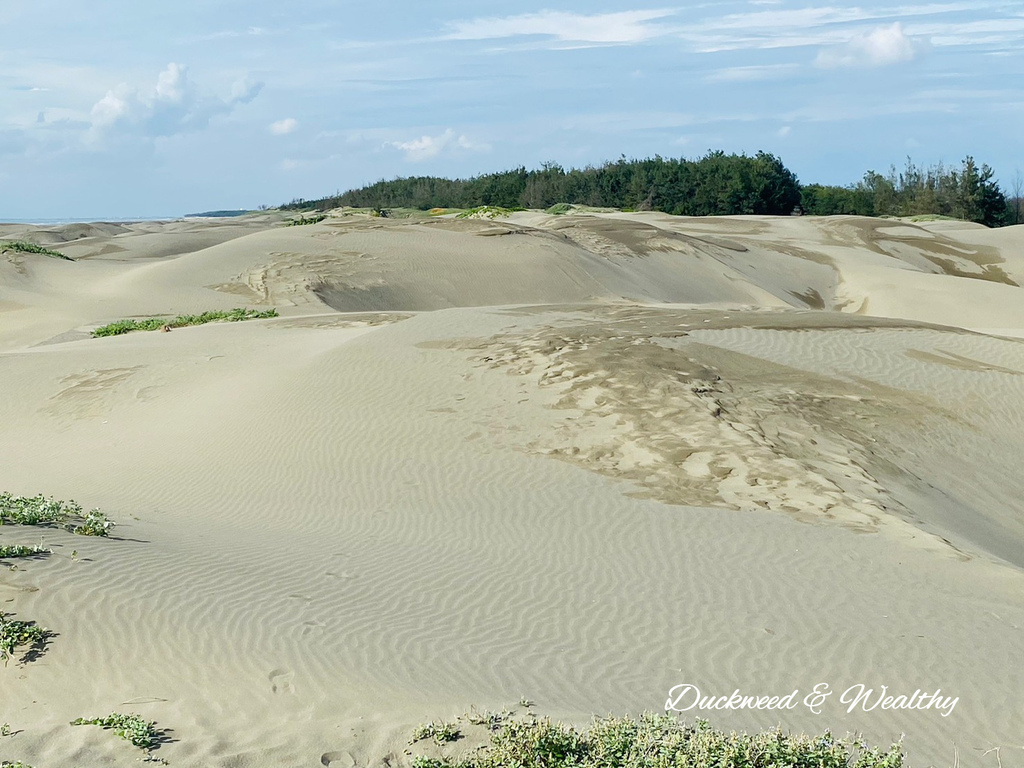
x=114 y=109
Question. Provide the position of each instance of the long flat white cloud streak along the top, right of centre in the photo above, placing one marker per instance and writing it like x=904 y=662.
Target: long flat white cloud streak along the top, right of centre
x=623 y=27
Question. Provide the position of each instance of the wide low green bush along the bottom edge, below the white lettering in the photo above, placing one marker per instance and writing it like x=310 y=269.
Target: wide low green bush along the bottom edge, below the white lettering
x=662 y=742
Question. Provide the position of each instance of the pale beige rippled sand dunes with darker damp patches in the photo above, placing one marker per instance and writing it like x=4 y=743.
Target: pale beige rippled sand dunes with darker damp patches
x=580 y=459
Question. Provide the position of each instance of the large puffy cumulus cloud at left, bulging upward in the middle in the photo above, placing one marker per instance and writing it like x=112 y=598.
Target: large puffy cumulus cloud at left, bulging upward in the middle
x=175 y=106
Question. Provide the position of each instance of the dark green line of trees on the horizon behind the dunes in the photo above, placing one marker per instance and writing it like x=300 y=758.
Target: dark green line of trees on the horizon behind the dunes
x=715 y=185
